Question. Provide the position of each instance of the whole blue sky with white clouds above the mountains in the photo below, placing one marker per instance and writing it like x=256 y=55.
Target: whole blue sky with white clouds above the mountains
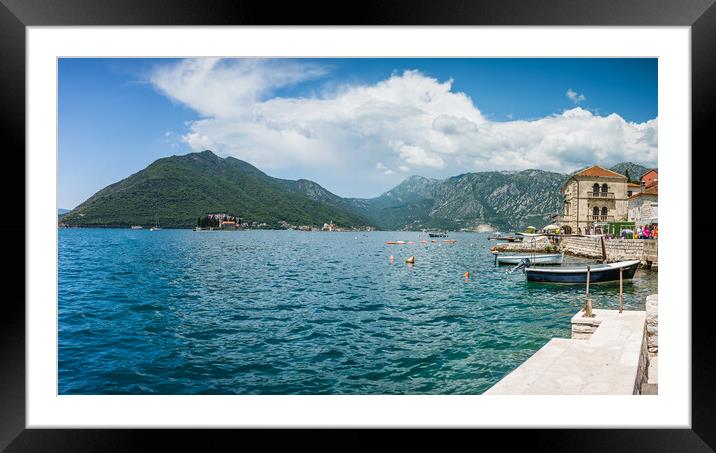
x=358 y=127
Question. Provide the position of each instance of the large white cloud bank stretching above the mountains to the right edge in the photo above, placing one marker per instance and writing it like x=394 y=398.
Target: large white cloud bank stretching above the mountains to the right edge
x=407 y=121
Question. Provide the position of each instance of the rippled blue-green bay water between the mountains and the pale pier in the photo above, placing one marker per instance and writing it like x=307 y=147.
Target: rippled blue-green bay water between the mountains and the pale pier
x=284 y=312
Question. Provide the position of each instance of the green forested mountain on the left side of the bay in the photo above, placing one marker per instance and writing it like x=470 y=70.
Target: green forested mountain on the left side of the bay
x=175 y=191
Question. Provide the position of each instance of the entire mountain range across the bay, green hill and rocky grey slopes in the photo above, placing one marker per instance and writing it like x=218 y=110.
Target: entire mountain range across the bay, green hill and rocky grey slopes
x=175 y=191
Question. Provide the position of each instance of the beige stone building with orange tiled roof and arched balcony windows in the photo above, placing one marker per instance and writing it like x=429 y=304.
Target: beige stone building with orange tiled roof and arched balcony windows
x=591 y=196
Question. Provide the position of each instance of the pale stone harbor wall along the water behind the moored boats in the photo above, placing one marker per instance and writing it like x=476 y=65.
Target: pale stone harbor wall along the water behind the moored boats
x=645 y=251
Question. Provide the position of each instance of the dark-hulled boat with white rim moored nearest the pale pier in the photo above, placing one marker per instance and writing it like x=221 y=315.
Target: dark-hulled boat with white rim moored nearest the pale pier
x=578 y=274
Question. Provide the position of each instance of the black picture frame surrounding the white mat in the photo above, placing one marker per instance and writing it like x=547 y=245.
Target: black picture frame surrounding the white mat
x=16 y=15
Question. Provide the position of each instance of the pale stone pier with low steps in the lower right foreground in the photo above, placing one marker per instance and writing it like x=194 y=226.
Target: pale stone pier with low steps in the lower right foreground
x=611 y=353
